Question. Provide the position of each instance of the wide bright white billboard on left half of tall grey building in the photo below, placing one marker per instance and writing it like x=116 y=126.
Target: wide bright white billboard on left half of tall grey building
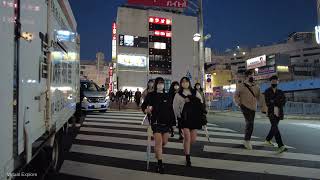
x=132 y=60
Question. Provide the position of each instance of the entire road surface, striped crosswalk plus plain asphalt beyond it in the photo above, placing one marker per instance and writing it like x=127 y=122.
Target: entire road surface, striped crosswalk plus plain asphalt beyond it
x=112 y=146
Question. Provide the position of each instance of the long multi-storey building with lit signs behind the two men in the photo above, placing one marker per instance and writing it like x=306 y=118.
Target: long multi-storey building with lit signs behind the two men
x=295 y=59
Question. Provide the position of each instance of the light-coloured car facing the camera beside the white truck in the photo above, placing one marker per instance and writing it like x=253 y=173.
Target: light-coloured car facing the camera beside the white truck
x=93 y=98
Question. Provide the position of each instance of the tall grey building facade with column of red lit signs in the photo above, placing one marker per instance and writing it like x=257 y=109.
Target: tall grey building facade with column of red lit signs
x=153 y=43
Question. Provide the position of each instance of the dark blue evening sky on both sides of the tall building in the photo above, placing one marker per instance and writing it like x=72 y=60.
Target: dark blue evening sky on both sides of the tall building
x=230 y=22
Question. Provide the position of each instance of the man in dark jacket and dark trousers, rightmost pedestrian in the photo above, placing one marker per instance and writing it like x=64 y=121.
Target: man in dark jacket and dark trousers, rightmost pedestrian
x=275 y=100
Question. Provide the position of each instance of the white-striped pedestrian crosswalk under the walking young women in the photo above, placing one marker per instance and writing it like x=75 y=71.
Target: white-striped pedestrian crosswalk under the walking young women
x=112 y=145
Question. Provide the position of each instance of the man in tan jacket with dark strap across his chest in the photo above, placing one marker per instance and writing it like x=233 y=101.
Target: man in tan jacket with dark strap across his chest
x=247 y=97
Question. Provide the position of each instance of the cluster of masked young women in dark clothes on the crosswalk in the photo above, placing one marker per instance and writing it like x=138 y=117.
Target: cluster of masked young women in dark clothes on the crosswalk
x=183 y=106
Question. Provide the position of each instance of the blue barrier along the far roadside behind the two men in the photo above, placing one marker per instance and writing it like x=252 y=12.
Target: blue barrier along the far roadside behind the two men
x=291 y=108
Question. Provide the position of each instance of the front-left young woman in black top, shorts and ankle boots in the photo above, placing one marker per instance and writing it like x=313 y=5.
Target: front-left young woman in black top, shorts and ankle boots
x=158 y=106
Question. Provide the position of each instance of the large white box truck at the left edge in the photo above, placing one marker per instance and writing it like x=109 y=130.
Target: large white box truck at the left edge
x=39 y=80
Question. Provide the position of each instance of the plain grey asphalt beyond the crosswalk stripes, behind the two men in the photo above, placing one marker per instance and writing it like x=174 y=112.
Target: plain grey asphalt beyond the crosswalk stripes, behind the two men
x=304 y=135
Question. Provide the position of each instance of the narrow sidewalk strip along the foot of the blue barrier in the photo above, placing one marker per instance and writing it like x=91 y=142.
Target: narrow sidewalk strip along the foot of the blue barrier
x=259 y=115
